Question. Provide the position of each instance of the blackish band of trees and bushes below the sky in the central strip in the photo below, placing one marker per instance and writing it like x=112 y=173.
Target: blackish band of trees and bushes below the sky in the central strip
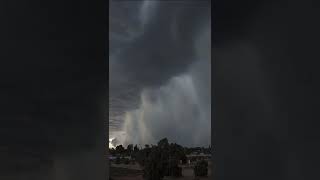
x=161 y=160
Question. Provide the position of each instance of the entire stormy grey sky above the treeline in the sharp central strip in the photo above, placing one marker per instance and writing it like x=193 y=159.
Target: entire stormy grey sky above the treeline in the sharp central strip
x=160 y=72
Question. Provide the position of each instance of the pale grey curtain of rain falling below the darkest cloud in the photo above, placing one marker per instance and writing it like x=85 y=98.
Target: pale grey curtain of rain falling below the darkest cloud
x=180 y=109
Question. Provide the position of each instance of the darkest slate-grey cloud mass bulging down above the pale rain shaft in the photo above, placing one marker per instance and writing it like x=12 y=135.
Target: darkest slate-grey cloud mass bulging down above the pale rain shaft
x=166 y=47
